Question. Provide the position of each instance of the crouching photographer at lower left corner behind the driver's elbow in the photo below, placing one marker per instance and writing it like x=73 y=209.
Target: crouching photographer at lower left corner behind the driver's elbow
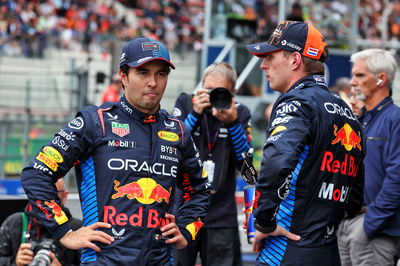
x=18 y=248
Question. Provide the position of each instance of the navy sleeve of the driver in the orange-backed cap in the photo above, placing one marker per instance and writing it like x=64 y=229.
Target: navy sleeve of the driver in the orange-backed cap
x=287 y=136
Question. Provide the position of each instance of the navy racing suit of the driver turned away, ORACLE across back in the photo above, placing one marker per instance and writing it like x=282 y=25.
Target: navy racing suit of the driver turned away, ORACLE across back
x=311 y=174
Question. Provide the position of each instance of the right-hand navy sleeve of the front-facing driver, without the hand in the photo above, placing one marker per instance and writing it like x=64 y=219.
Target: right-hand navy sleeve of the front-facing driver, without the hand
x=193 y=183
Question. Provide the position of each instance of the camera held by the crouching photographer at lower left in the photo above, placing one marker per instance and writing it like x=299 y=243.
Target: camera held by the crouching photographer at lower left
x=41 y=250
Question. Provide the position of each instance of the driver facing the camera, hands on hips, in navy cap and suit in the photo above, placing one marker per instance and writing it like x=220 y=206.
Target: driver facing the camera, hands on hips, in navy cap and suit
x=130 y=158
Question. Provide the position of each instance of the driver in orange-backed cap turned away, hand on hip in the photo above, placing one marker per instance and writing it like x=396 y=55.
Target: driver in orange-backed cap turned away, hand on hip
x=312 y=172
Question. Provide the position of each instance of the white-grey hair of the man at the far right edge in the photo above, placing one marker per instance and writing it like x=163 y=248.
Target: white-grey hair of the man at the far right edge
x=378 y=60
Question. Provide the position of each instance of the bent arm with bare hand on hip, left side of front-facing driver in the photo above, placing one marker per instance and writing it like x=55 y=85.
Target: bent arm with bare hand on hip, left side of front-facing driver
x=70 y=145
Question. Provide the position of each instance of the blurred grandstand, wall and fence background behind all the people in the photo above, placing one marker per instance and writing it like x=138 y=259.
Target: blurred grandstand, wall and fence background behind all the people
x=57 y=56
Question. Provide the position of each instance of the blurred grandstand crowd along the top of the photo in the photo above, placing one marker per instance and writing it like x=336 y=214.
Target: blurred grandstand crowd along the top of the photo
x=26 y=27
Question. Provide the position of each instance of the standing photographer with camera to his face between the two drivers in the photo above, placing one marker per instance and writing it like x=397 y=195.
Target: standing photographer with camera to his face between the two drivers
x=220 y=128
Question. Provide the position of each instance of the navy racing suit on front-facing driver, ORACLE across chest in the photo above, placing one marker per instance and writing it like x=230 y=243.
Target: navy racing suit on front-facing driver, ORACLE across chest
x=128 y=166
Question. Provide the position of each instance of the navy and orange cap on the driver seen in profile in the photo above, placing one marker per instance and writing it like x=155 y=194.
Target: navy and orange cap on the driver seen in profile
x=292 y=36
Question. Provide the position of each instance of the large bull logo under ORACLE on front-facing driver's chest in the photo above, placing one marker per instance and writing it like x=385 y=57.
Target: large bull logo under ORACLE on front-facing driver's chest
x=144 y=190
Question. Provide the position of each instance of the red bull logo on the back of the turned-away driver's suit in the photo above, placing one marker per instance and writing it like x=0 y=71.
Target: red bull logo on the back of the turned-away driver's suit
x=347 y=137
